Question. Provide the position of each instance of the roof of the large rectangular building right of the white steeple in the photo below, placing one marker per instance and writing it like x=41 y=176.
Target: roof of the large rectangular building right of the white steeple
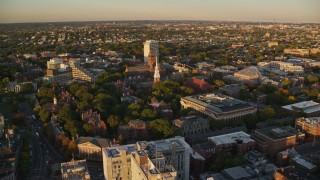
x=218 y=102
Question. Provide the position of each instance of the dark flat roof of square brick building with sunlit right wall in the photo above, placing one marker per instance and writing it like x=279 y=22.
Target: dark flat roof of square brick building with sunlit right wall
x=275 y=133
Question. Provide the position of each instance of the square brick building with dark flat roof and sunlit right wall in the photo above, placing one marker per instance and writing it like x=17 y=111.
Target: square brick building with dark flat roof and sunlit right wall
x=272 y=140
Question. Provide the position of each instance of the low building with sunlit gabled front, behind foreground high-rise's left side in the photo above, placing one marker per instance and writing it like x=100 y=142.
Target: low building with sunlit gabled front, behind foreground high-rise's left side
x=90 y=148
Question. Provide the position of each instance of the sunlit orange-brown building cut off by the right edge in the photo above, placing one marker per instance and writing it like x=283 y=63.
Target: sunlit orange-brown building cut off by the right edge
x=309 y=125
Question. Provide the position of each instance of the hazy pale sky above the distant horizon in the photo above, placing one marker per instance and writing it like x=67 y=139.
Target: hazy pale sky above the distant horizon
x=83 y=10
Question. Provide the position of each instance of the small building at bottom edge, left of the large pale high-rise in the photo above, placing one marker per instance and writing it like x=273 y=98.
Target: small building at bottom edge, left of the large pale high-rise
x=75 y=170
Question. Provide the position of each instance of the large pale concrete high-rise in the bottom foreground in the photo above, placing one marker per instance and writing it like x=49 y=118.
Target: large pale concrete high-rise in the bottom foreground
x=164 y=159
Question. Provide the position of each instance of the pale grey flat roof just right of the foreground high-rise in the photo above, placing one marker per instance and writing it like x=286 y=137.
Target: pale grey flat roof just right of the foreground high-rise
x=232 y=138
